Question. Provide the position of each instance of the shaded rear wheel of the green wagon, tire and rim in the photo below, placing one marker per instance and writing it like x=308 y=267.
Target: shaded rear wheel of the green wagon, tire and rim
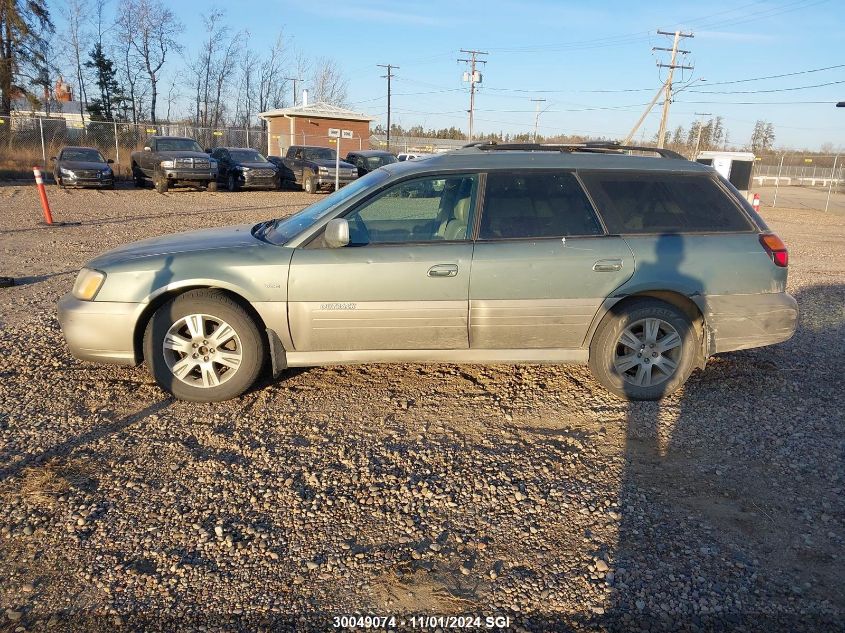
x=619 y=367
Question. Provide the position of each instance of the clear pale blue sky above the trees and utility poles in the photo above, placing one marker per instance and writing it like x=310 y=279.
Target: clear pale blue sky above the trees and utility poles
x=592 y=62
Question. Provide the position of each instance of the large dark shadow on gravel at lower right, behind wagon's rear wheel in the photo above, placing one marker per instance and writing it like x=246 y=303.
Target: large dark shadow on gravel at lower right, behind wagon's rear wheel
x=716 y=532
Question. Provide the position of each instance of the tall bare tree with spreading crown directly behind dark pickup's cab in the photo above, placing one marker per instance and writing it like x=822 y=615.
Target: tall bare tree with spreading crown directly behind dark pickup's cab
x=154 y=36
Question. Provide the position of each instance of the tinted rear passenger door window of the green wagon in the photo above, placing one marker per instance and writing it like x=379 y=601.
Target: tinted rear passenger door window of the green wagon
x=536 y=205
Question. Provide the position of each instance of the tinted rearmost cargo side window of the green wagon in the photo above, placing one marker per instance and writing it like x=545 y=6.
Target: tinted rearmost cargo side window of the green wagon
x=633 y=203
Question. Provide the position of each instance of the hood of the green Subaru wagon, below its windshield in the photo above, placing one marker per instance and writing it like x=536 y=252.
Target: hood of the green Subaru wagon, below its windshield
x=238 y=236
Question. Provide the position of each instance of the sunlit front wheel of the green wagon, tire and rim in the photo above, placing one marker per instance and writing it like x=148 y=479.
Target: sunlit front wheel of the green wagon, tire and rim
x=205 y=312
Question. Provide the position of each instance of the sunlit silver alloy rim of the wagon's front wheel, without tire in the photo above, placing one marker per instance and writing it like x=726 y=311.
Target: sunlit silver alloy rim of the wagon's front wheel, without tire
x=202 y=350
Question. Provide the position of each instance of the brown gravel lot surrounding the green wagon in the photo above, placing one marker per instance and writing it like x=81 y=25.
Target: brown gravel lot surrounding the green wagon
x=515 y=491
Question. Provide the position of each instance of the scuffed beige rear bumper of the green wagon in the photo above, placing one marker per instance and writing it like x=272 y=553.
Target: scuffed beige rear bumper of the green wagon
x=745 y=321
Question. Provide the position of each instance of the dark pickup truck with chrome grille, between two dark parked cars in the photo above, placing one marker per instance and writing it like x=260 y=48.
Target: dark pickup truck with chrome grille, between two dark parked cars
x=168 y=160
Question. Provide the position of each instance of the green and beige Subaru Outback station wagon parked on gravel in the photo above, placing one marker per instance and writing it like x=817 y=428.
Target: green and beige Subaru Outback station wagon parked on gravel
x=642 y=266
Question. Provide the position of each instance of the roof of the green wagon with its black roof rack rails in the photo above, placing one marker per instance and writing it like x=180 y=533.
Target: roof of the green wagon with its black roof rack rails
x=475 y=158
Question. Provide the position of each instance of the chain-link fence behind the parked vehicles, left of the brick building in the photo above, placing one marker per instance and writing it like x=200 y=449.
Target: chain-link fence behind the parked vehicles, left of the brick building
x=26 y=141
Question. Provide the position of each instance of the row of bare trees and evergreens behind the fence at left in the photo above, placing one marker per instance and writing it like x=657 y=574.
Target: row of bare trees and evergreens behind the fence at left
x=126 y=62
